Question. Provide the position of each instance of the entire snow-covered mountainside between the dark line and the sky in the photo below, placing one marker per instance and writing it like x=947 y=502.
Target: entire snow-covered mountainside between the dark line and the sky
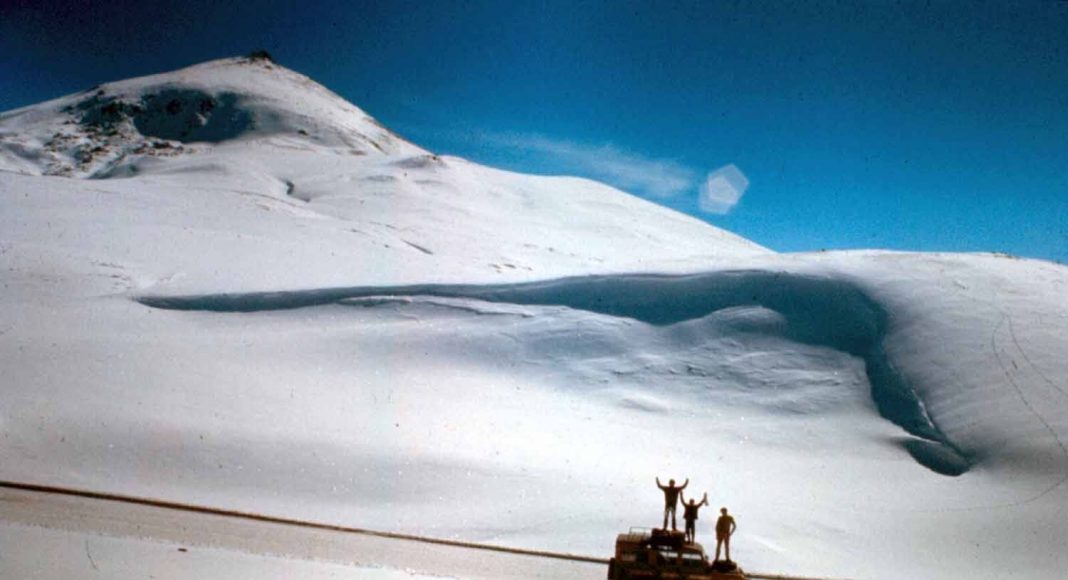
x=259 y=299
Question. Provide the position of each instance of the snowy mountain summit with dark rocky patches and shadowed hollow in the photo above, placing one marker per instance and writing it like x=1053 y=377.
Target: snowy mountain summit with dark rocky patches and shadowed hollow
x=105 y=131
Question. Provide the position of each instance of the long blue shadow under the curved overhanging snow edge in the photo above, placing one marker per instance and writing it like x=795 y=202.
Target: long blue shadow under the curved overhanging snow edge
x=818 y=310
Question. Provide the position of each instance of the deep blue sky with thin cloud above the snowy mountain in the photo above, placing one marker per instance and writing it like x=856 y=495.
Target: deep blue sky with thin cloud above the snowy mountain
x=933 y=127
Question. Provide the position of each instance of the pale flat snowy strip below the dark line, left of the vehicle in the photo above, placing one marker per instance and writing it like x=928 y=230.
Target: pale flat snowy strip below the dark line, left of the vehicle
x=72 y=536
